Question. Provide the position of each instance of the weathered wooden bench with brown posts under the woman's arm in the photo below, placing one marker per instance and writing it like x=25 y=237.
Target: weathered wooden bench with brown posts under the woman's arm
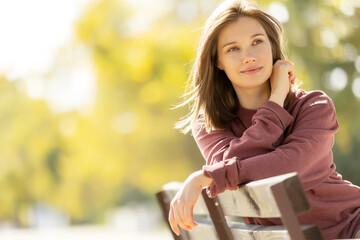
x=282 y=197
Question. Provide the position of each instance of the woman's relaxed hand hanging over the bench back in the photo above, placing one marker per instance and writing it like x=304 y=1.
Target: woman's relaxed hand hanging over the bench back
x=181 y=207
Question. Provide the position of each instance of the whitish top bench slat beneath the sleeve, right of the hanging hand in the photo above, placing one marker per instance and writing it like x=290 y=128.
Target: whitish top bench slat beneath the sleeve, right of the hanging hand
x=255 y=199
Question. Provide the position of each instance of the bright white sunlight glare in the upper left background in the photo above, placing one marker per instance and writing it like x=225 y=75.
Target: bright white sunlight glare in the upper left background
x=31 y=34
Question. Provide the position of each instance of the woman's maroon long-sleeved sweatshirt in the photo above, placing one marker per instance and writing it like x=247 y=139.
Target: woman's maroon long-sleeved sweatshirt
x=273 y=140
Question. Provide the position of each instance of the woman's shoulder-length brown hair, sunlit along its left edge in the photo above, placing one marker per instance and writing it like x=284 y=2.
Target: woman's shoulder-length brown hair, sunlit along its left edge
x=211 y=92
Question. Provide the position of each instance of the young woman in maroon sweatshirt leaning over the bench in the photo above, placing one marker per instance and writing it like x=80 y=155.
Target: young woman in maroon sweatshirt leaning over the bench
x=250 y=123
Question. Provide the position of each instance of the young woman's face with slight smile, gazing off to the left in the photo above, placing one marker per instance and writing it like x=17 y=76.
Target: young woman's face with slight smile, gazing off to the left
x=244 y=53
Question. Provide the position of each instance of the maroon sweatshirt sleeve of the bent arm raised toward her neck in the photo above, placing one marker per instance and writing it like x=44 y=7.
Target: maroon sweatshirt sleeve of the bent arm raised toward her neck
x=268 y=124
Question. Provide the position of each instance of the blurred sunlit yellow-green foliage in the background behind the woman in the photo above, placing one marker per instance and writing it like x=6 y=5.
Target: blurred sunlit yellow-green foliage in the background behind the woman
x=126 y=147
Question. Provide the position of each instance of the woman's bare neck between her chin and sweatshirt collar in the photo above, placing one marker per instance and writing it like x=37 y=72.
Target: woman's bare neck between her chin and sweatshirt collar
x=253 y=98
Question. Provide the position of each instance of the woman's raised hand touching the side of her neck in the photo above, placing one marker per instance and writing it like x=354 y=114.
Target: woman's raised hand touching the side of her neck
x=283 y=75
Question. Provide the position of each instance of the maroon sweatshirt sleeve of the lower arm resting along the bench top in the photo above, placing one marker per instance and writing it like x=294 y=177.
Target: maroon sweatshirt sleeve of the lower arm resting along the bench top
x=307 y=151
